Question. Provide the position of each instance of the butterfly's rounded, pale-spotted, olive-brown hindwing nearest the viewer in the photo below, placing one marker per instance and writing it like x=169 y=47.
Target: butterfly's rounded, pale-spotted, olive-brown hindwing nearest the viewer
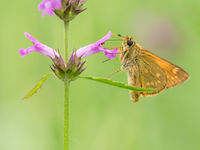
x=146 y=73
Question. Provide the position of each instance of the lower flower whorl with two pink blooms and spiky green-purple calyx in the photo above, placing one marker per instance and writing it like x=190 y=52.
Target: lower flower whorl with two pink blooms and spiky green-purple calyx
x=74 y=66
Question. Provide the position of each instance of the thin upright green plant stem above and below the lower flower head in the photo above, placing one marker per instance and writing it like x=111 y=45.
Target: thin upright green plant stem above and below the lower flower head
x=66 y=97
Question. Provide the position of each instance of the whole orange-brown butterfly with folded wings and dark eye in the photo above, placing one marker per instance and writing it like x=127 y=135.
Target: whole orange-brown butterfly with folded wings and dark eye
x=146 y=70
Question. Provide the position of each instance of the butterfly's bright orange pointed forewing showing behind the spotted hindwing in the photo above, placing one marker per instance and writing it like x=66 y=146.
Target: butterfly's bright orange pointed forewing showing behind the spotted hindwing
x=175 y=74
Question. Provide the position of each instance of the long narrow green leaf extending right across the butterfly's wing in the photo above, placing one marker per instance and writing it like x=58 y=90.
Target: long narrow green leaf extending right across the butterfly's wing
x=118 y=84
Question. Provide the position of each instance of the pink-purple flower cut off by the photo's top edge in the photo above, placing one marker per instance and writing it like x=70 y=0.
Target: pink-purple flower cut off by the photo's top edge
x=48 y=6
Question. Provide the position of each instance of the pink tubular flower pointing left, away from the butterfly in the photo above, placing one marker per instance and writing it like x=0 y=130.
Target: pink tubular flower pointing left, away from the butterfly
x=38 y=47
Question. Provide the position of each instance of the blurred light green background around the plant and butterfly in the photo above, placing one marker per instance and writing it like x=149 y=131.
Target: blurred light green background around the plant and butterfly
x=101 y=117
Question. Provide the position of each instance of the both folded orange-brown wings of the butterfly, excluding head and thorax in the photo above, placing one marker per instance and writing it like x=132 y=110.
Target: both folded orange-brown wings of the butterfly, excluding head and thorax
x=153 y=72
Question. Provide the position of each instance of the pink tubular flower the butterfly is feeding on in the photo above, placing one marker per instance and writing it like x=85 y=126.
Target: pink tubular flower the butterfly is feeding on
x=96 y=48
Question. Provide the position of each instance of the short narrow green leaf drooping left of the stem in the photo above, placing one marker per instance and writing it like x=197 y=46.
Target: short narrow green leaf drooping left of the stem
x=38 y=85
